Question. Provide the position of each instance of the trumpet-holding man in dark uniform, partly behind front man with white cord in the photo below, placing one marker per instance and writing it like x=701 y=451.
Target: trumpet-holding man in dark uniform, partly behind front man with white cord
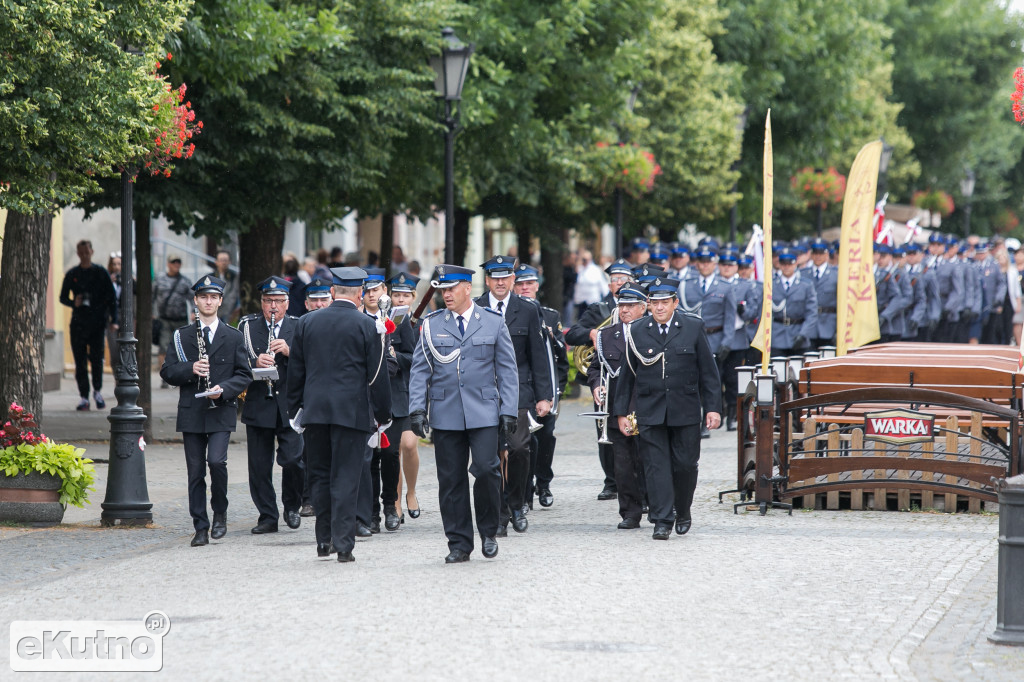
x=609 y=361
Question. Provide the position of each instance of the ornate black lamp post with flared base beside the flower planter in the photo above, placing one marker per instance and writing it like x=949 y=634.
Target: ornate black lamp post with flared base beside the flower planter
x=127 y=499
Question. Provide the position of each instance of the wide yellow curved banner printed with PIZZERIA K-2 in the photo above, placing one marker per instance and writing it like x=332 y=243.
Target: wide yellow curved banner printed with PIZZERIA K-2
x=858 y=313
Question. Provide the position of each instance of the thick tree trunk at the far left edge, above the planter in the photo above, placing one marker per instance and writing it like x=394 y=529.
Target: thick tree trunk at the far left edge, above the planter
x=25 y=271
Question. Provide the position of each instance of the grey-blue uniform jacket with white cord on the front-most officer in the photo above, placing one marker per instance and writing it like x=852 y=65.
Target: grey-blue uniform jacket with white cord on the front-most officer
x=480 y=383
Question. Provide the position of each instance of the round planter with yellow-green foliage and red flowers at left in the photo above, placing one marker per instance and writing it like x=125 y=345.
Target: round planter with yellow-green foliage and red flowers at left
x=39 y=478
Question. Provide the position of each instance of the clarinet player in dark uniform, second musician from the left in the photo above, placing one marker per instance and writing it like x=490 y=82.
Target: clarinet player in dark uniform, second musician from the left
x=266 y=410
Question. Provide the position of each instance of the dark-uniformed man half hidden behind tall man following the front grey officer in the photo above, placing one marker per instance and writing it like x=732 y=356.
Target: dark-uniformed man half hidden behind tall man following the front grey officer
x=543 y=447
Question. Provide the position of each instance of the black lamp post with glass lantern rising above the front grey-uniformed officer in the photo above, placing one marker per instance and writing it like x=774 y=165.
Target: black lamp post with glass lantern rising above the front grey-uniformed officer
x=451 y=70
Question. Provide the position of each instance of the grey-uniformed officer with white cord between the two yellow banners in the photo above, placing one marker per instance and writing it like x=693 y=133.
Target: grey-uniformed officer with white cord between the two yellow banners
x=795 y=308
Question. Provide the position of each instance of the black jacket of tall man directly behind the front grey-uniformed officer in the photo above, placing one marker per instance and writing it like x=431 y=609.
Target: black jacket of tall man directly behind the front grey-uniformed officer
x=524 y=322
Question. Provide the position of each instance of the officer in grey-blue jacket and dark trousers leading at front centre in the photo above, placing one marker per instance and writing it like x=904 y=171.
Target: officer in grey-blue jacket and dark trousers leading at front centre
x=464 y=373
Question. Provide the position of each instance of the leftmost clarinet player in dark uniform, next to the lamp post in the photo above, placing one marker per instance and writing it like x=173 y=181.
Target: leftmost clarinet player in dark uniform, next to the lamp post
x=208 y=357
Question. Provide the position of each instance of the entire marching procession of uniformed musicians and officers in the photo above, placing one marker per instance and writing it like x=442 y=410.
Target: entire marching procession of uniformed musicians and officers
x=483 y=378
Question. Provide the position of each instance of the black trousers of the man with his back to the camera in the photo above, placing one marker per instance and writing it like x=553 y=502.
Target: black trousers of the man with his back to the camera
x=336 y=455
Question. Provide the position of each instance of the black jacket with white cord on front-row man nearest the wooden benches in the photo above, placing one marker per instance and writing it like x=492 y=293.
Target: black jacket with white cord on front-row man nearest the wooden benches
x=677 y=390
